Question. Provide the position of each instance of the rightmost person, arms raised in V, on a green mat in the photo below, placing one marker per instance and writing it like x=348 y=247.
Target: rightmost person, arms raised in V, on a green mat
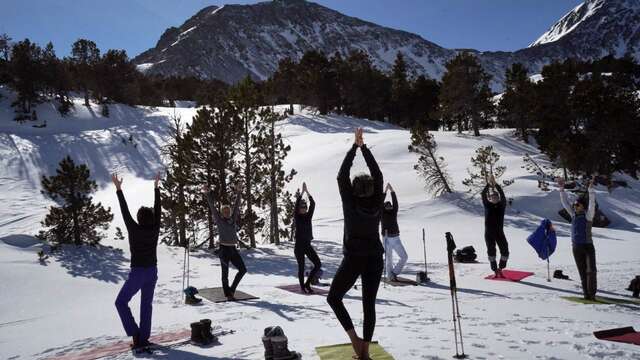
x=584 y=252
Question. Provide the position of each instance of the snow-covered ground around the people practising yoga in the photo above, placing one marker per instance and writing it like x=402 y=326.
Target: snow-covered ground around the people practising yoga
x=67 y=304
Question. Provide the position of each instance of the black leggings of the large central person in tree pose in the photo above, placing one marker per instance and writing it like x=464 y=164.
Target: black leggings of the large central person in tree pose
x=370 y=269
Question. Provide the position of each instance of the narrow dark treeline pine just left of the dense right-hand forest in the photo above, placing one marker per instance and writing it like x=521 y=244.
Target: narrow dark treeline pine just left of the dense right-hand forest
x=515 y=107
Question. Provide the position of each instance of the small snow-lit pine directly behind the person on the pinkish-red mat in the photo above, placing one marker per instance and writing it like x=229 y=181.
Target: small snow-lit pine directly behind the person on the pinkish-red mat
x=484 y=165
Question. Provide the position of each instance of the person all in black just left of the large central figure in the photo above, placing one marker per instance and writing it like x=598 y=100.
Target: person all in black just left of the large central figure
x=304 y=234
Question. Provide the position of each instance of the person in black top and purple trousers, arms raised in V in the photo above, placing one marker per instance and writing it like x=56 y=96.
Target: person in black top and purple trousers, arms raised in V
x=143 y=241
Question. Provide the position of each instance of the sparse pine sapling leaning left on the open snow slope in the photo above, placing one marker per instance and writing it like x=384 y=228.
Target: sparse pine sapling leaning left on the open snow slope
x=431 y=167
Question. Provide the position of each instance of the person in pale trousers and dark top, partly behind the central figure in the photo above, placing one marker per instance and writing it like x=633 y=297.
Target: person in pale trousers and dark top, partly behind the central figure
x=391 y=232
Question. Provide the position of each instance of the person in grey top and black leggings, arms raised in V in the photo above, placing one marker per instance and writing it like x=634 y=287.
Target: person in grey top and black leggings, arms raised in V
x=226 y=220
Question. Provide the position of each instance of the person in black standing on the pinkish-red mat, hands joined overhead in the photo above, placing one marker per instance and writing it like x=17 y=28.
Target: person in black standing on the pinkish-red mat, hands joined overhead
x=495 y=204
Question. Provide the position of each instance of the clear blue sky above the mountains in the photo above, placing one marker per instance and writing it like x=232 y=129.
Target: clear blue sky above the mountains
x=136 y=25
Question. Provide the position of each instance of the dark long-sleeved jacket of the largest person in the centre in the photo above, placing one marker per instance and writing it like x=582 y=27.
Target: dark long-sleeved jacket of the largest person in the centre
x=361 y=215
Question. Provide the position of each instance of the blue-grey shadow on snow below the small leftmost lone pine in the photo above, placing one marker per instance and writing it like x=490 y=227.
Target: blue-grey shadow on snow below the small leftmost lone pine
x=98 y=262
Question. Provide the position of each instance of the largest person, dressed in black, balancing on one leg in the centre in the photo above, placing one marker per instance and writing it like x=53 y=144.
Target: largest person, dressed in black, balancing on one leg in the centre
x=362 y=201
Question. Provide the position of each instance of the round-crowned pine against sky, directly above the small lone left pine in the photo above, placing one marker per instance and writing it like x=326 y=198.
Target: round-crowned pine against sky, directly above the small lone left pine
x=85 y=56
